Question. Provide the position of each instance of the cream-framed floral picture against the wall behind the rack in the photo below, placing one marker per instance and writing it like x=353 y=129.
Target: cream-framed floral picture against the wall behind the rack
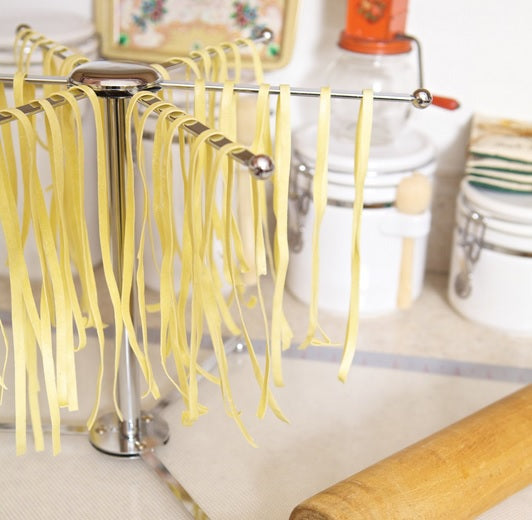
x=154 y=31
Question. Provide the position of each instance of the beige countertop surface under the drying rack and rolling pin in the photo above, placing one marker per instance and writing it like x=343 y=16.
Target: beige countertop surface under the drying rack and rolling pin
x=415 y=372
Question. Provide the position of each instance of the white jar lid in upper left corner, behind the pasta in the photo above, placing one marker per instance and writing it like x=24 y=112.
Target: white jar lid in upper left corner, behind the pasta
x=67 y=28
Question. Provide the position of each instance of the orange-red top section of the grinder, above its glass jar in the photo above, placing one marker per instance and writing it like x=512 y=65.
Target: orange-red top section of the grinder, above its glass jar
x=375 y=27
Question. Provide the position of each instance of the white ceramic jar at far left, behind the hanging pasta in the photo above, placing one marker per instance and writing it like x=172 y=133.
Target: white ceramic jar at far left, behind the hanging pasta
x=78 y=34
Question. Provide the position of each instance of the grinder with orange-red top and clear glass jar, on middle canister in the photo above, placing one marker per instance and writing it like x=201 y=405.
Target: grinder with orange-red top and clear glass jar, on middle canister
x=375 y=53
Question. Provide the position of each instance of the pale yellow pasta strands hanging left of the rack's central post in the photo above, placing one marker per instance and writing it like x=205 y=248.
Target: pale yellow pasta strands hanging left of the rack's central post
x=61 y=240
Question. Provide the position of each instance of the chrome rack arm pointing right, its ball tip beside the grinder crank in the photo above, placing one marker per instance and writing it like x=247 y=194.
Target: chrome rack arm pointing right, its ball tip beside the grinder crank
x=298 y=91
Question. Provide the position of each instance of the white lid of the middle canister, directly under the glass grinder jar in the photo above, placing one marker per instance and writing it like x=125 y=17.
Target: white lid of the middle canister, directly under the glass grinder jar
x=411 y=150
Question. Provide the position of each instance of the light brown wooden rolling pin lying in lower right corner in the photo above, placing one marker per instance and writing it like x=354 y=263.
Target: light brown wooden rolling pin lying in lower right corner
x=457 y=473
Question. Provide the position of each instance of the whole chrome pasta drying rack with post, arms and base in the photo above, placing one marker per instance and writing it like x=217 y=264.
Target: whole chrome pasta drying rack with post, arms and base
x=139 y=432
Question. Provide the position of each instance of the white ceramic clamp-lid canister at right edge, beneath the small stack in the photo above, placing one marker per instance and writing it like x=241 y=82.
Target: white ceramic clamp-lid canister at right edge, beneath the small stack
x=490 y=279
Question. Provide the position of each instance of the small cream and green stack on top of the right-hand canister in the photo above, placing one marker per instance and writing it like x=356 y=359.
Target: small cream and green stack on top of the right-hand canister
x=500 y=155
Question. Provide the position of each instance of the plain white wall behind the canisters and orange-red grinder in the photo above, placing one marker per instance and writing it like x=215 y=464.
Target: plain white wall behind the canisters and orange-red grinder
x=477 y=51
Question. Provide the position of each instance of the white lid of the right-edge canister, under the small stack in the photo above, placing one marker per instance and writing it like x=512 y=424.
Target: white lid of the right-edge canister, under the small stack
x=508 y=206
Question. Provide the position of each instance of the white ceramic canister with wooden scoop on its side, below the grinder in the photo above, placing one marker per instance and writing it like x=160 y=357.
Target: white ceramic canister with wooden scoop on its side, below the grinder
x=383 y=228
